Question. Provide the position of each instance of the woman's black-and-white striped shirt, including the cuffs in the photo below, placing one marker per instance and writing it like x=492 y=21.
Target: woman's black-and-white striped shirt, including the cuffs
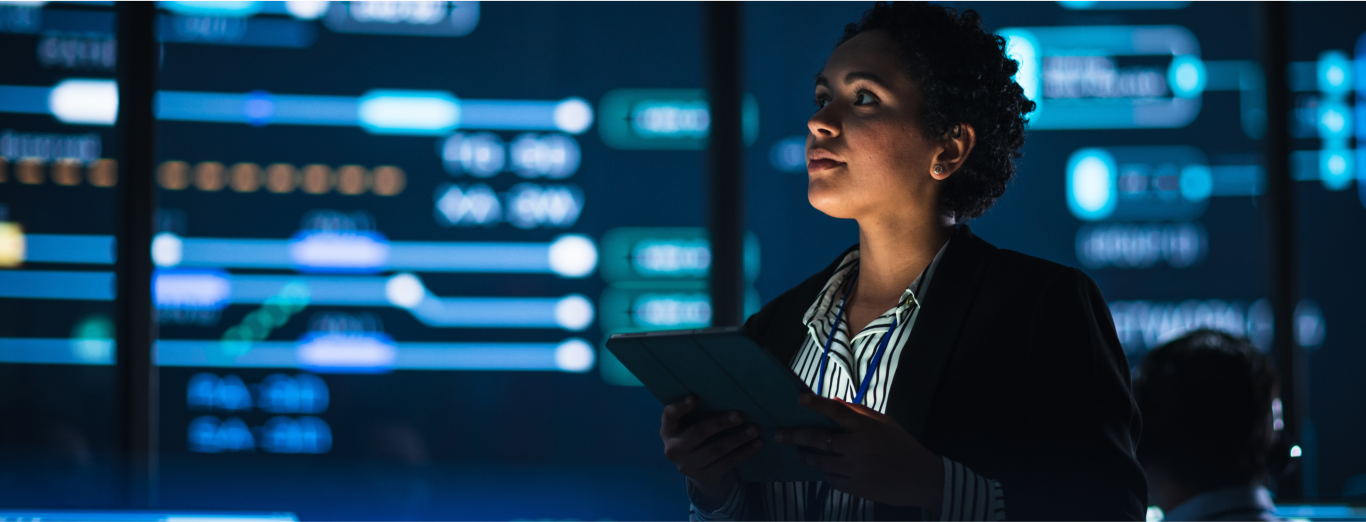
x=968 y=497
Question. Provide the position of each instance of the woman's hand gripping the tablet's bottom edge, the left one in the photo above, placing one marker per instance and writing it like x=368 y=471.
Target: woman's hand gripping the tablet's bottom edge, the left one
x=701 y=456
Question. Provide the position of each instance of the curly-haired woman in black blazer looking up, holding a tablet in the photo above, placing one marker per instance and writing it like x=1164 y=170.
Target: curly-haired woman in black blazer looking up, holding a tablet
x=972 y=383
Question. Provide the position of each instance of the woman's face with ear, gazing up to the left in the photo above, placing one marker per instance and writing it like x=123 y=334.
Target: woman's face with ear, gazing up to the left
x=867 y=154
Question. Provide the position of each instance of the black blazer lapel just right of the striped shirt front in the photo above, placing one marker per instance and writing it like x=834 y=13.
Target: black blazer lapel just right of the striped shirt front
x=932 y=340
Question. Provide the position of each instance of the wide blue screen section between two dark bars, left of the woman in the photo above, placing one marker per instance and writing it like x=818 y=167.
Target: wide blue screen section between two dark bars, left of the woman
x=386 y=237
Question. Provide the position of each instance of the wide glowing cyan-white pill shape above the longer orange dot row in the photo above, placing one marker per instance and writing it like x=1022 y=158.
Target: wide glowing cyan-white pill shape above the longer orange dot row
x=413 y=113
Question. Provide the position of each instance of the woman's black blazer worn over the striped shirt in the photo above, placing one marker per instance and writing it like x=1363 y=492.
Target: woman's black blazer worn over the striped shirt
x=1013 y=370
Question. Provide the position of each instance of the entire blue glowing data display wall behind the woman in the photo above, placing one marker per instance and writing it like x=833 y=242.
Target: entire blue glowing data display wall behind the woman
x=393 y=236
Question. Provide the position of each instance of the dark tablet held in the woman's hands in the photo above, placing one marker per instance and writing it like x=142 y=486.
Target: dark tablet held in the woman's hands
x=727 y=371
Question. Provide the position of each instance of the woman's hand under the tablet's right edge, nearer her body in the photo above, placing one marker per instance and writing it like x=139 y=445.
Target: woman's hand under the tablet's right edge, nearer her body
x=874 y=458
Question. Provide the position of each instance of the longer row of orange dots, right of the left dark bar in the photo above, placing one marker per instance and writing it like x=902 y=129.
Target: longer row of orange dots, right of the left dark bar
x=282 y=178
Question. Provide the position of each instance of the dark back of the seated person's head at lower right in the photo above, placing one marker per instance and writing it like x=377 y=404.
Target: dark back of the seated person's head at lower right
x=1211 y=426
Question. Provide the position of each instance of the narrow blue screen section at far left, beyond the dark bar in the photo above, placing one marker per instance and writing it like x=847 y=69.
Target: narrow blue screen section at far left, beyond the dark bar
x=58 y=177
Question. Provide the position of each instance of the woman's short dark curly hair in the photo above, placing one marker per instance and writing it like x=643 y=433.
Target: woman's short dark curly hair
x=965 y=77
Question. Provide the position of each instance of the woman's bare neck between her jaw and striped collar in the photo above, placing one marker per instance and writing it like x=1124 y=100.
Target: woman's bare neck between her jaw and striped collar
x=893 y=253
